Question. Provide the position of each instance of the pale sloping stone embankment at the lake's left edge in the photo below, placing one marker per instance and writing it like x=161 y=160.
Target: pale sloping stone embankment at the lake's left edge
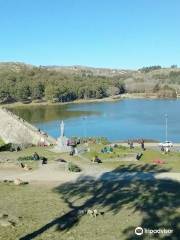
x=14 y=129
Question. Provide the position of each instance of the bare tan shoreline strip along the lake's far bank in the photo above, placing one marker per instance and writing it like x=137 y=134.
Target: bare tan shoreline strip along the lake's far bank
x=81 y=101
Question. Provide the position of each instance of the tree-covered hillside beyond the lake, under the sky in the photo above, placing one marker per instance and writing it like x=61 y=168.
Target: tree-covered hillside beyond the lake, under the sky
x=26 y=83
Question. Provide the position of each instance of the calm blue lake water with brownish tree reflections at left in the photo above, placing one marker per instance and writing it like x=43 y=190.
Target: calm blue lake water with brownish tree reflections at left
x=115 y=120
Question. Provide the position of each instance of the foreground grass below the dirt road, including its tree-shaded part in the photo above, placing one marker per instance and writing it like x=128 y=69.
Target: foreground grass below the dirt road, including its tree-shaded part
x=126 y=206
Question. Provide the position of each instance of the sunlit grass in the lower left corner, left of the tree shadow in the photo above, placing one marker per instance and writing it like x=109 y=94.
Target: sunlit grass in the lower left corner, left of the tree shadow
x=36 y=206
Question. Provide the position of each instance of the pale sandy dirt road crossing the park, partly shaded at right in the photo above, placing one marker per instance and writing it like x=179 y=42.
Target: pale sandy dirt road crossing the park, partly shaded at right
x=58 y=173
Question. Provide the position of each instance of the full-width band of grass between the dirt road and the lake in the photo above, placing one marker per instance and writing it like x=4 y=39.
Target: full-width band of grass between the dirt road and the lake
x=110 y=160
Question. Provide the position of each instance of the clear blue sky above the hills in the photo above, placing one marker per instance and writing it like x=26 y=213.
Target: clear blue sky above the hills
x=102 y=33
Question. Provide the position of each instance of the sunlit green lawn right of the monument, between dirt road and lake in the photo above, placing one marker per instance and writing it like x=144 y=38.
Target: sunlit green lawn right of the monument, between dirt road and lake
x=117 y=158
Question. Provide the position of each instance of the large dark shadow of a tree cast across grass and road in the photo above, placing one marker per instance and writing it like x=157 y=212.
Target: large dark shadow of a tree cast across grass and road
x=157 y=200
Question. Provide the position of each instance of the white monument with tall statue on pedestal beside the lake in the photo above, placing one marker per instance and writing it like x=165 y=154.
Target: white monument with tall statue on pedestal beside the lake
x=62 y=141
